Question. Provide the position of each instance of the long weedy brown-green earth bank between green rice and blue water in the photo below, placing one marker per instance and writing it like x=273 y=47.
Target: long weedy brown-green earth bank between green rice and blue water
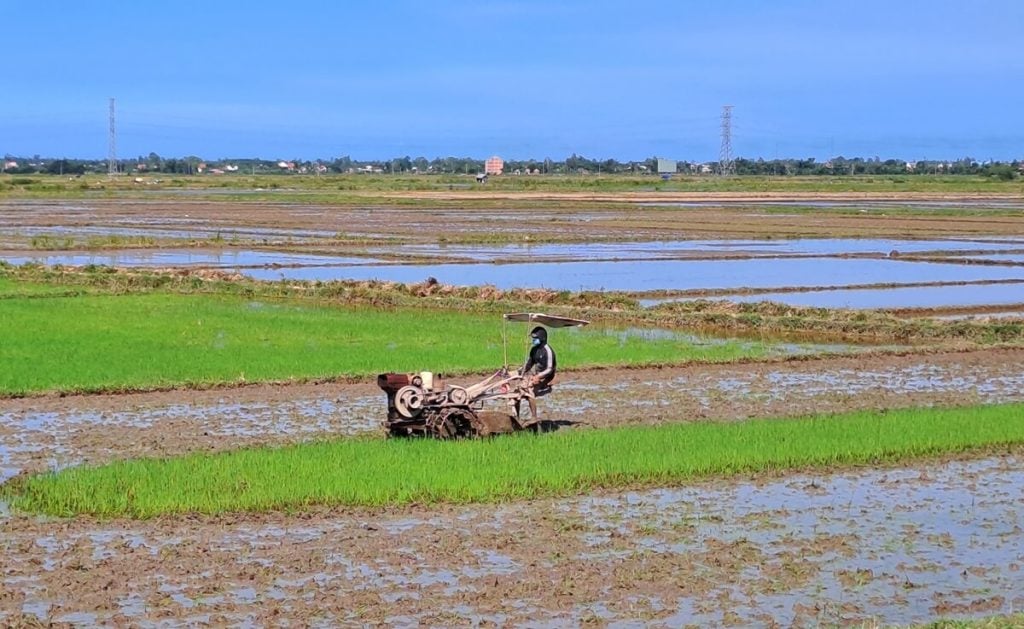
x=709 y=317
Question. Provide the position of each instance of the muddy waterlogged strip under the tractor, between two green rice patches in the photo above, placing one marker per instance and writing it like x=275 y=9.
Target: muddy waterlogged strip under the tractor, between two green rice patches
x=55 y=433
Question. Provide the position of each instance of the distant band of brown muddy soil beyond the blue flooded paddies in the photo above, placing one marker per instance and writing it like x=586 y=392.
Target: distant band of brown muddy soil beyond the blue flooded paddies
x=591 y=220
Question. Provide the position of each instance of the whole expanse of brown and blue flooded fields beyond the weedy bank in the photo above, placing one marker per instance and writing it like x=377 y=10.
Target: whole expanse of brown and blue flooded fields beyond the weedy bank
x=704 y=243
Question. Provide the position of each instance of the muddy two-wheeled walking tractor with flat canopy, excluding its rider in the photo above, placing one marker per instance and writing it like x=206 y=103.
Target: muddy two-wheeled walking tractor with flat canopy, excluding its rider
x=423 y=405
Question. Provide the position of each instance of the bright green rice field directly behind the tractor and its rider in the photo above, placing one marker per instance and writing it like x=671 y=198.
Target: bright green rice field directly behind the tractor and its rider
x=112 y=343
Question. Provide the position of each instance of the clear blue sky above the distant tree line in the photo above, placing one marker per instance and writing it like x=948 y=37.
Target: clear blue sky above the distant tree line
x=912 y=79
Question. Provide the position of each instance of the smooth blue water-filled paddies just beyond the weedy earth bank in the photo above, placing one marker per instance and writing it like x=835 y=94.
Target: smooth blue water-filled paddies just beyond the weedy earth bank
x=637 y=268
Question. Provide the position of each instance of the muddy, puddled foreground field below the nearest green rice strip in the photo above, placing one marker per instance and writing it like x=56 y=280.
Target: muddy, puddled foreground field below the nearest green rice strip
x=889 y=547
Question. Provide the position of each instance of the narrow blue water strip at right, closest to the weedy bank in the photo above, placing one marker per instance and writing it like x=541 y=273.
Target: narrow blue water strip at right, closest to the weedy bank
x=906 y=298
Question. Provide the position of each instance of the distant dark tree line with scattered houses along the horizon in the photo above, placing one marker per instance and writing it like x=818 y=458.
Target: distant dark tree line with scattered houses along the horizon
x=575 y=164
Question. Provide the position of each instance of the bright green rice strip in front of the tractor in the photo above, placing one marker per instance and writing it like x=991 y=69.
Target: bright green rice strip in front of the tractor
x=378 y=473
